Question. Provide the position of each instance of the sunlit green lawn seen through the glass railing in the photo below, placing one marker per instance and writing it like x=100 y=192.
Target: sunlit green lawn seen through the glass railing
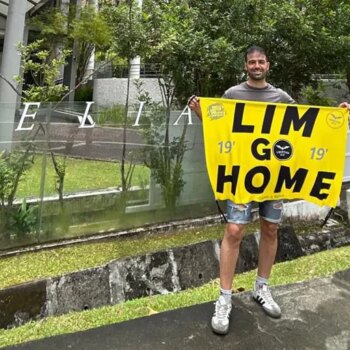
x=81 y=174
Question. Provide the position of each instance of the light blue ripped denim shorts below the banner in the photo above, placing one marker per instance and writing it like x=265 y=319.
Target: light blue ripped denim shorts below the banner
x=270 y=211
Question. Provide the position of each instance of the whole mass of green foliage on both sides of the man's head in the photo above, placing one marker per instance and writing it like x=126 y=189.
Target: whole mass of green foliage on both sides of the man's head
x=201 y=44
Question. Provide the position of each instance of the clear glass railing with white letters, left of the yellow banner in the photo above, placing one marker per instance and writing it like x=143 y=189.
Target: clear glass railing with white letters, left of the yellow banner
x=97 y=169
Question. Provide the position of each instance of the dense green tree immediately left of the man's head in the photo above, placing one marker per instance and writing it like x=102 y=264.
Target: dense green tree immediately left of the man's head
x=193 y=44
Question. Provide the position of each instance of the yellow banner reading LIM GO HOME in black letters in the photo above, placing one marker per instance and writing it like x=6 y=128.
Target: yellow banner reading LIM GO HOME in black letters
x=257 y=151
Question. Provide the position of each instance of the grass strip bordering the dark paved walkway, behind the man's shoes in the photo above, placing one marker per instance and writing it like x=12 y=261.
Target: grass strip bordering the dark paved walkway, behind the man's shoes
x=302 y=269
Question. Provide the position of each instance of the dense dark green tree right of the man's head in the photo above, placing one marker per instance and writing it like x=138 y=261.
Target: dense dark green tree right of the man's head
x=305 y=38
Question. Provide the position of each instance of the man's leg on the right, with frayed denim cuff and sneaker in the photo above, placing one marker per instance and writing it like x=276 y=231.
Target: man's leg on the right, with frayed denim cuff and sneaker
x=270 y=215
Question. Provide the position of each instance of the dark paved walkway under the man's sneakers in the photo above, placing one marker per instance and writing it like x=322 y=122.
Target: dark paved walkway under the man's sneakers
x=316 y=315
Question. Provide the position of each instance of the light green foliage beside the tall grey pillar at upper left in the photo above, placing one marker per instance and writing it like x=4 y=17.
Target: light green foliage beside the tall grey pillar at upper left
x=55 y=34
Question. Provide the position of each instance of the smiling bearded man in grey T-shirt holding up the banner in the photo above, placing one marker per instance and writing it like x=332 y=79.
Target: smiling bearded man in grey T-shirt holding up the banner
x=255 y=88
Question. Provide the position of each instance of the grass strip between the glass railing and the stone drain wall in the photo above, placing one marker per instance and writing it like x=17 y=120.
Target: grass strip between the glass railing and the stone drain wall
x=26 y=267
